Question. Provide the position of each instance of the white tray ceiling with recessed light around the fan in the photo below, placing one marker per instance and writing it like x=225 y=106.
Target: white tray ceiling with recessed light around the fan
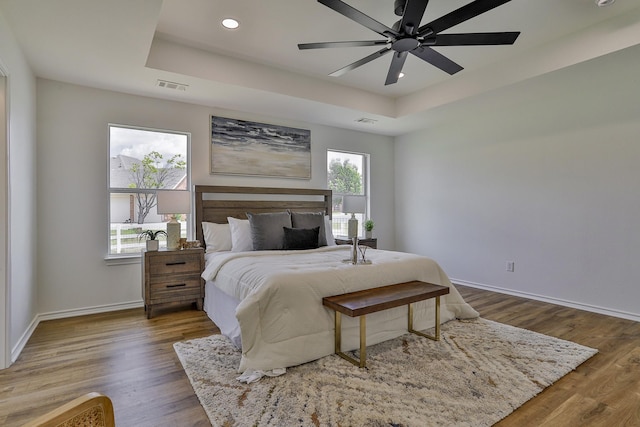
x=127 y=45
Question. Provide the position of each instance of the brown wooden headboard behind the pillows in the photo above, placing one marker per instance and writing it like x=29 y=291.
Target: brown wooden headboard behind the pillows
x=215 y=203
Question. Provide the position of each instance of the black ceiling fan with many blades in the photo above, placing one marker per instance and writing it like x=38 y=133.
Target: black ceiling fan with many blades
x=407 y=36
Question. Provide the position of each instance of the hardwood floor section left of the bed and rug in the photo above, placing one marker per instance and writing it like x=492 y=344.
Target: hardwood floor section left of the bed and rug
x=121 y=354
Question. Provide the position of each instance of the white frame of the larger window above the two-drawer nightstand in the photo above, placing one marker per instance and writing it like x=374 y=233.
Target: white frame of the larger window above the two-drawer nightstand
x=132 y=257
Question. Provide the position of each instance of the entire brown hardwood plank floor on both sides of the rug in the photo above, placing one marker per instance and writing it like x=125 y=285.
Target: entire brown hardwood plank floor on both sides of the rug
x=131 y=359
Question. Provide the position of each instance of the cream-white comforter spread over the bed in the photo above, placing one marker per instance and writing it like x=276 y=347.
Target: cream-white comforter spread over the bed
x=283 y=322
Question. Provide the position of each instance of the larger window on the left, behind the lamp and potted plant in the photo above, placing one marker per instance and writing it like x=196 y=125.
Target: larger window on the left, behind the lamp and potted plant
x=142 y=161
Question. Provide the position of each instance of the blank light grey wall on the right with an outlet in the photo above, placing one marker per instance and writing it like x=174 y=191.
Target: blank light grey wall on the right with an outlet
x=543 y=173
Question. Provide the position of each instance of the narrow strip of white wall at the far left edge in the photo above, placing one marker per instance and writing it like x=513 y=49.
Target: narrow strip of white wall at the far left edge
x=19 y=260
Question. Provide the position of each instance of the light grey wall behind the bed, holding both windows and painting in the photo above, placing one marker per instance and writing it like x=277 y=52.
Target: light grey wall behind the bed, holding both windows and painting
x=72 y=198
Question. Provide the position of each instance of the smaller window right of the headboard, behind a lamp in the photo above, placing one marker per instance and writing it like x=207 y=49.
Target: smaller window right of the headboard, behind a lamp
x=347 y=174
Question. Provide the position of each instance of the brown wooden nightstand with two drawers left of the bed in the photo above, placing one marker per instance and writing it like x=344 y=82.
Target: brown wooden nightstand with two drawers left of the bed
x=172 y=277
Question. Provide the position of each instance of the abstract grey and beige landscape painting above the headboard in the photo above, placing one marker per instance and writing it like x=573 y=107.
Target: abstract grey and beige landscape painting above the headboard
x=240 y=147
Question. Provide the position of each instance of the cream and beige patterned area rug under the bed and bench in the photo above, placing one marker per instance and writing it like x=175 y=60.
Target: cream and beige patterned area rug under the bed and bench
x=478 y=373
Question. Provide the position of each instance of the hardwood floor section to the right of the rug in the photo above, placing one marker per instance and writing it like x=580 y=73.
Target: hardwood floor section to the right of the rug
x=603 y=391
